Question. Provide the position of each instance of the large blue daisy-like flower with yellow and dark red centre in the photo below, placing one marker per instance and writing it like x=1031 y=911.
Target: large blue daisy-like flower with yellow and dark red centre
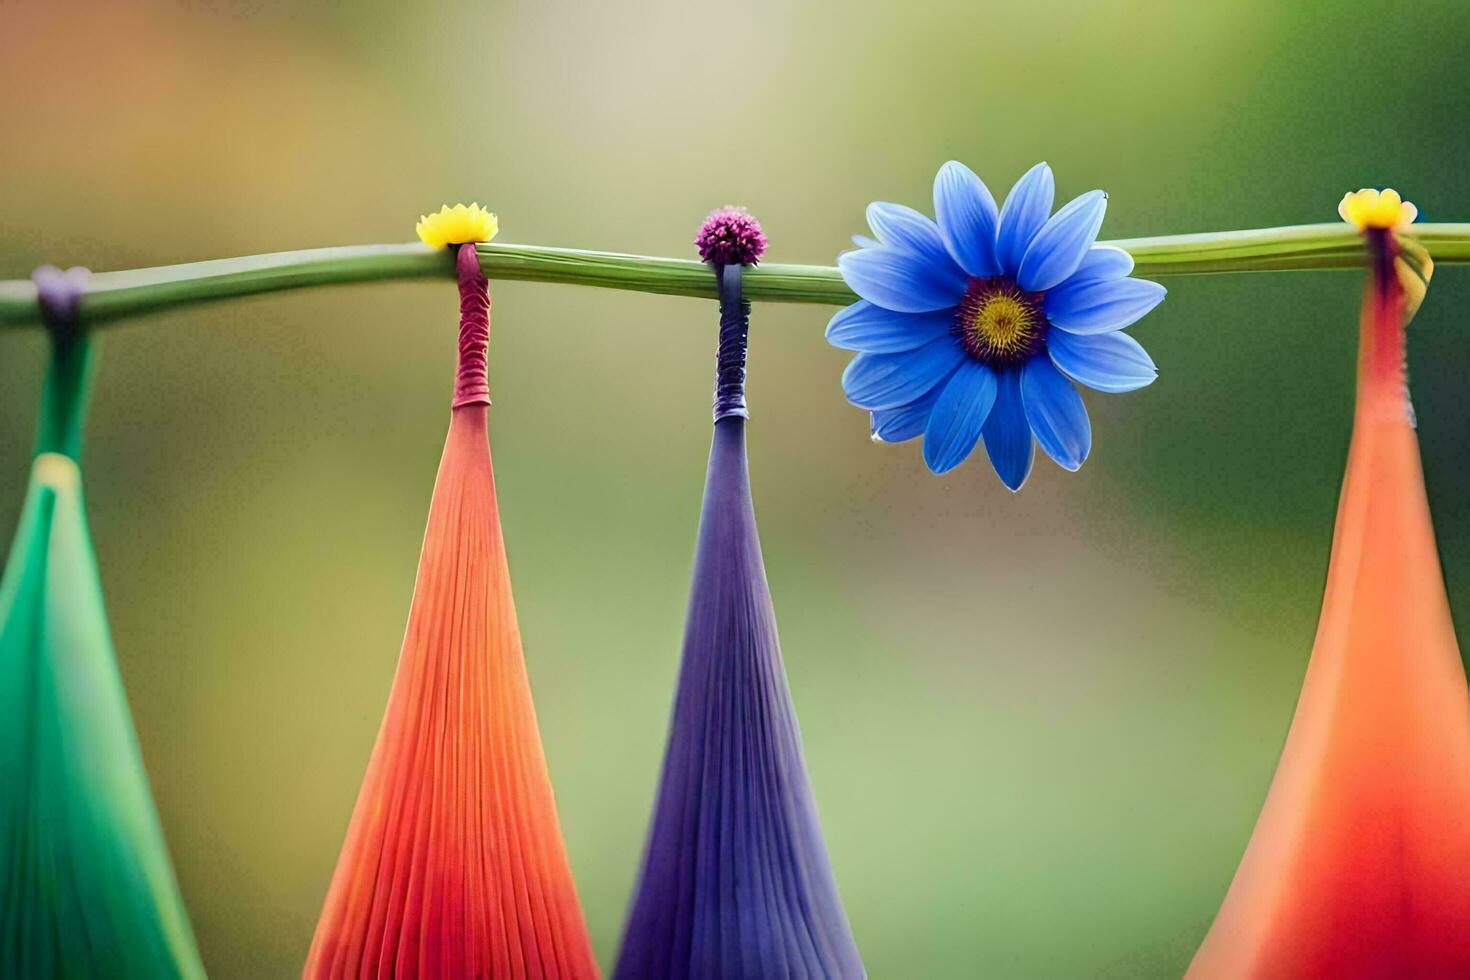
x=975 y=327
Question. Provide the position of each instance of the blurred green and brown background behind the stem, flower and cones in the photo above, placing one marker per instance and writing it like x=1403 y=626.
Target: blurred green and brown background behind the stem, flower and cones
x=1040 y=727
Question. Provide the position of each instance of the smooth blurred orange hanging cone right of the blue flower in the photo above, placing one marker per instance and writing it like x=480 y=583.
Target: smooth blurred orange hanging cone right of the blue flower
x=1360 y=863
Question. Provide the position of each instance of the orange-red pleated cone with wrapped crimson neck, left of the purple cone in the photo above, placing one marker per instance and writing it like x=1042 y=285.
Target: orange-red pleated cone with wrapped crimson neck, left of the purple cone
x=453 y=866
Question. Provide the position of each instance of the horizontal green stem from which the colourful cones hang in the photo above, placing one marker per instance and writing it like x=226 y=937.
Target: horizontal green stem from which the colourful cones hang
x=120 y=295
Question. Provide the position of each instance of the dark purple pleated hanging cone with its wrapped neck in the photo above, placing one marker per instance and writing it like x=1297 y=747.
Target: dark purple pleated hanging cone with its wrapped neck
x=736 y=879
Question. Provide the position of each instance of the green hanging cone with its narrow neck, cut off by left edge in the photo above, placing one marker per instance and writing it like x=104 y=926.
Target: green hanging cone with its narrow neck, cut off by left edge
x=86 y=882
